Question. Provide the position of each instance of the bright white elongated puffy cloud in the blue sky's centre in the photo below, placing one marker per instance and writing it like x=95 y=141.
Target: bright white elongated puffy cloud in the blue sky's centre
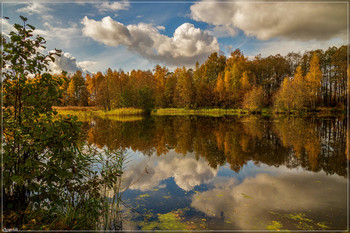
x=188 y=44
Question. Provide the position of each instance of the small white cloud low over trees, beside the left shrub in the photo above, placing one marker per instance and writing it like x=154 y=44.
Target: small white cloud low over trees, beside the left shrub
x=66 y=62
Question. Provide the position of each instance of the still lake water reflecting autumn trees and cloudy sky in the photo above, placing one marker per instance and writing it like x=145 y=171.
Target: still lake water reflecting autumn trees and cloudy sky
x=230 y=173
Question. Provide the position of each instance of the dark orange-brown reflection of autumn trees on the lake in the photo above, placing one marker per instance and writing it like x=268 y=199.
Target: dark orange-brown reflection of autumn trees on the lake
x=311 y=143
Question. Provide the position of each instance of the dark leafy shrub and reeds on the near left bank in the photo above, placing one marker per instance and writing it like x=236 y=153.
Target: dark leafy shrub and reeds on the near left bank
x=50 y=180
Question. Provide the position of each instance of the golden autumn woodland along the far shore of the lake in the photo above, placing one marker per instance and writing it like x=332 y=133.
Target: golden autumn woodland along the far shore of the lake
x=292 y=82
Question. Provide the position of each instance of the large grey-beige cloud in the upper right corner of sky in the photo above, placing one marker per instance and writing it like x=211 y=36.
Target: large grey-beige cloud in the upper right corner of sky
x=266 y=20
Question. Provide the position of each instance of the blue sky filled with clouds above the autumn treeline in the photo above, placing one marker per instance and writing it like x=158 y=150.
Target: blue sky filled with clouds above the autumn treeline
x=95 y=36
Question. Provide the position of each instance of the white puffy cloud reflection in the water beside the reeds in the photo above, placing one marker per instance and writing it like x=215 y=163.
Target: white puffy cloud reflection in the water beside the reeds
x=186 y=171
